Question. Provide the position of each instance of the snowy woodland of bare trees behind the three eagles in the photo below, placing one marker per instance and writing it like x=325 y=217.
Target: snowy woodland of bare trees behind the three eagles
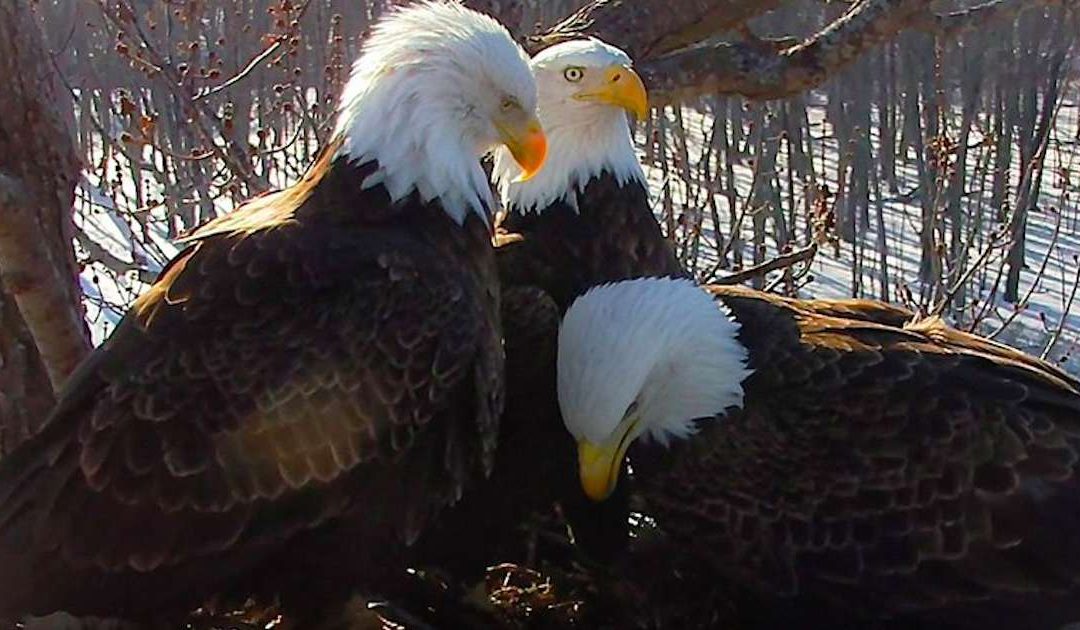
x=919 y=152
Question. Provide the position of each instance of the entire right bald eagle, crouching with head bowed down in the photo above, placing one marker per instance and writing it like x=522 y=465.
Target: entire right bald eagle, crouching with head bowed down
x=915 y=473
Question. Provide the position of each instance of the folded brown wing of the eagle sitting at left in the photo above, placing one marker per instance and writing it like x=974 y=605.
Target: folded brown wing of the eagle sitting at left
x=265 y=385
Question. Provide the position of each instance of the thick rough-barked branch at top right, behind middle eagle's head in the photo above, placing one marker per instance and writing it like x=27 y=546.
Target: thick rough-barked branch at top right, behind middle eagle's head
x=663 y=36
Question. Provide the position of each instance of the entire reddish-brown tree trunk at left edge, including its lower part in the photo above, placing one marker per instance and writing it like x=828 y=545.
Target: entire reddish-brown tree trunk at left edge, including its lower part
x=43 y=332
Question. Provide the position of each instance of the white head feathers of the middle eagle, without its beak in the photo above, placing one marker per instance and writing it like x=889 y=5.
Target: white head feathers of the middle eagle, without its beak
x=586 y=138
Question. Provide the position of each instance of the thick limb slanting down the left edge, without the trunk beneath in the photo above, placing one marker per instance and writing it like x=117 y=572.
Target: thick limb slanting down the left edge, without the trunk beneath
x=38 y=176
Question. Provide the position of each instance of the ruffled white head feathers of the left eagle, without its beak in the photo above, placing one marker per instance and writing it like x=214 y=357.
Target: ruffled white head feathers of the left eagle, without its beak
x=422 y=100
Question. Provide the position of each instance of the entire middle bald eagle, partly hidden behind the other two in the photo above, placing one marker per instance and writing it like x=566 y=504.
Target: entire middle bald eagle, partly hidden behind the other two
x=584 y=220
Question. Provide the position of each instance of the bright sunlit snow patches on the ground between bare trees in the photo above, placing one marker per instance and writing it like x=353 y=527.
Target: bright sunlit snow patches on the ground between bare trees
x=148 y=249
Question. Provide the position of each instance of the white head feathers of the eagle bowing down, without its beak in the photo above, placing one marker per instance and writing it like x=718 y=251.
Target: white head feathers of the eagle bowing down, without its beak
x=664 y=345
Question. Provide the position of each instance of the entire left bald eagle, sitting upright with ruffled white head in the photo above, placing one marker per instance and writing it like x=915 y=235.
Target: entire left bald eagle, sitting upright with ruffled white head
x=313 y=379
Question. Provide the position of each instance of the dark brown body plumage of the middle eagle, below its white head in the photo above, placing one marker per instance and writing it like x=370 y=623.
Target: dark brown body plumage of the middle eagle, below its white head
x=545 y=261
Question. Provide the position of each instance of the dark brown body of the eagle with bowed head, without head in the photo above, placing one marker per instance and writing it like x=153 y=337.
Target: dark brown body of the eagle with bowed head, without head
x=889 y=472
